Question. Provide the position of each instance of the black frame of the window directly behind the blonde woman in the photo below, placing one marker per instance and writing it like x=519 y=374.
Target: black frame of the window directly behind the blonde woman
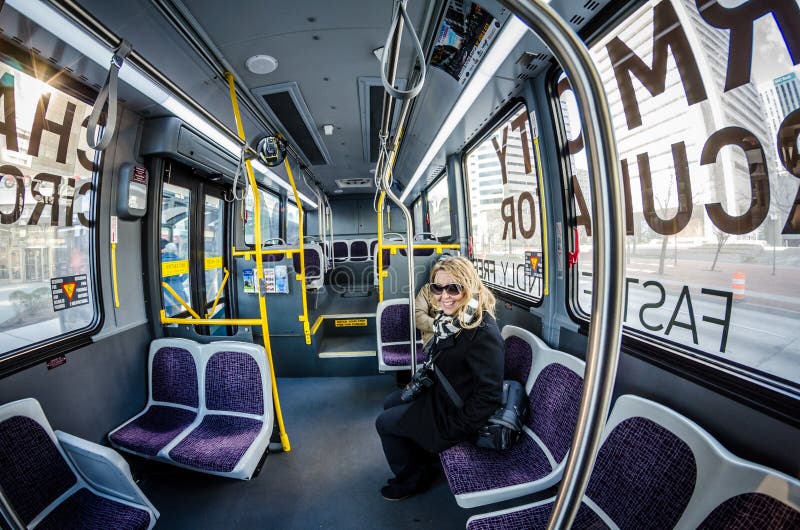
x=501 y=116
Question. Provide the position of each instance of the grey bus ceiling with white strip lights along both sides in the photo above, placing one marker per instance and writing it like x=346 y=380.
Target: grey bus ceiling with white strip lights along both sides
x=326 y=100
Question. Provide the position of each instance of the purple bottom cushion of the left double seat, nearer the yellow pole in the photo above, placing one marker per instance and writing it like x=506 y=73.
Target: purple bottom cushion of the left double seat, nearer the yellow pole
x=217 y=444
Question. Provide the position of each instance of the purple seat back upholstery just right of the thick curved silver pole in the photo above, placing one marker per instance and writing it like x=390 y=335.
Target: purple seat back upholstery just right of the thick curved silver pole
x=644 y=476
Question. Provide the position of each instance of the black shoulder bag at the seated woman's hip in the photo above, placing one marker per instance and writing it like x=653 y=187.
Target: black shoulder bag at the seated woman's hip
x=504 y=426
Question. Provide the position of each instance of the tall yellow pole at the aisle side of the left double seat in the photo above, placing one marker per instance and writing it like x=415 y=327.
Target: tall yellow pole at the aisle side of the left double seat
x=262 y=306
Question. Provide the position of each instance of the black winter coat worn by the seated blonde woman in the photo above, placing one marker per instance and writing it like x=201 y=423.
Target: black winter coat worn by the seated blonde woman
x=472 y=361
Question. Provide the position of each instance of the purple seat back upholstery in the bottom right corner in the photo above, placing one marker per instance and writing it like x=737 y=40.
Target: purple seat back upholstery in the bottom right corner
x=752 y=511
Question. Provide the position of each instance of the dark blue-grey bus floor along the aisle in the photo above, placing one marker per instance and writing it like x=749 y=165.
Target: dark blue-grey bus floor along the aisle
x=331 y=478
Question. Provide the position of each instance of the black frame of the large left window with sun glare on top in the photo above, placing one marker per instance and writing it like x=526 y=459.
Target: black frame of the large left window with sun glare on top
x=25 y=357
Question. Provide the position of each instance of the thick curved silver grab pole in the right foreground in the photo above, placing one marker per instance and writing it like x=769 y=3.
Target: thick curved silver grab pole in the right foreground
x=608 y=252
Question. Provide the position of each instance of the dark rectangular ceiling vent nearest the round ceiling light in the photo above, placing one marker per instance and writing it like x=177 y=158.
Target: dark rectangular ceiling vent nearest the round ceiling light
x=287 y=108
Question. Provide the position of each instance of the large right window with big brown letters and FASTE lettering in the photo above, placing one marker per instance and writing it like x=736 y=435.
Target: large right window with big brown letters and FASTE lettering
x=711 y=214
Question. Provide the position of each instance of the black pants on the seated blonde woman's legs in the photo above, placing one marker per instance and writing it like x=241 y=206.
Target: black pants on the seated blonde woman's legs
x=408 y=461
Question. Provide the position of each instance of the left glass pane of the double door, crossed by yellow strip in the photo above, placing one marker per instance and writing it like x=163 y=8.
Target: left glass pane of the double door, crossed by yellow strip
x=175 y=237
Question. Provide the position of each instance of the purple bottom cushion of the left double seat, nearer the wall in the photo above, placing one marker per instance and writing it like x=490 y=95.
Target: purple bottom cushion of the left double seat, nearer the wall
x=153 y=430
